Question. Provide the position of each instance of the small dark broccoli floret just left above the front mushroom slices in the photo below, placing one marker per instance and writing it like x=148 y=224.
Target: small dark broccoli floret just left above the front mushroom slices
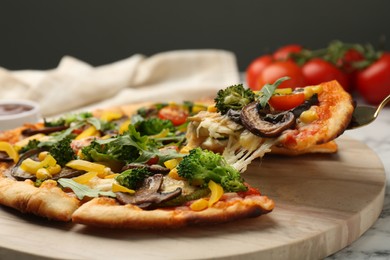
x=133 y=178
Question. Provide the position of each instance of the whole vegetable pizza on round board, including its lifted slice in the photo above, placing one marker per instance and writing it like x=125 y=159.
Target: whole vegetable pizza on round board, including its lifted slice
x=165 y=165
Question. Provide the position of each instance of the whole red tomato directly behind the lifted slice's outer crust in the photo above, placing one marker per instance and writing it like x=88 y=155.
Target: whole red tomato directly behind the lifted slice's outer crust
x=318 y=70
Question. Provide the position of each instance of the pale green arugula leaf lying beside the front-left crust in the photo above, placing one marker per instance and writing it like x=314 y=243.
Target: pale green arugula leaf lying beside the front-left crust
x=82 y=191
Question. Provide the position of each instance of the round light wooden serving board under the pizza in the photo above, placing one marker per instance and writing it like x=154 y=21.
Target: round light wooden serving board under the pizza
x=323 y=203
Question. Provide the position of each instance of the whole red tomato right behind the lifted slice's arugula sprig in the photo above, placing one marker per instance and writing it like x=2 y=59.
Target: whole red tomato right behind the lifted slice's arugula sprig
x=278 y=70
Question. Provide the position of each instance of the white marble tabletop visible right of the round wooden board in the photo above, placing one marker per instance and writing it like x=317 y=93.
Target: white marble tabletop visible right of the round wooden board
x=375 y=242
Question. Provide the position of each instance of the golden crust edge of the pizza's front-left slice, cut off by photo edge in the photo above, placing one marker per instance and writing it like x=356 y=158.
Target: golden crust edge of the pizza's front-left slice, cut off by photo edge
x=47 y=201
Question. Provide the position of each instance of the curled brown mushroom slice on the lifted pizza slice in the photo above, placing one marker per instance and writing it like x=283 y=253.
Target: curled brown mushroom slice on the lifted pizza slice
x=265 y=126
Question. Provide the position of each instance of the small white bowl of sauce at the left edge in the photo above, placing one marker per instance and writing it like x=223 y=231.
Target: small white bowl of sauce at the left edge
x=15 y=113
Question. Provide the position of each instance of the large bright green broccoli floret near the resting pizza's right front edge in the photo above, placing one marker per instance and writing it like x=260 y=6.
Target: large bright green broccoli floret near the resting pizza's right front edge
x=201 y=166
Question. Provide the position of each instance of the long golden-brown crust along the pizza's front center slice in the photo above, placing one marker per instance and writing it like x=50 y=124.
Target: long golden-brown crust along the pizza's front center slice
x=106 y=212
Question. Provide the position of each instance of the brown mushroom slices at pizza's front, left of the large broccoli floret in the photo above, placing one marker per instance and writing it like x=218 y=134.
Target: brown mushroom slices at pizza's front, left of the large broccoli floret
x=148 y=195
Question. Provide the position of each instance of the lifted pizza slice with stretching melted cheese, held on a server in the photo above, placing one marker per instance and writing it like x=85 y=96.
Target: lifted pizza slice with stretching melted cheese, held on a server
x=245 y=125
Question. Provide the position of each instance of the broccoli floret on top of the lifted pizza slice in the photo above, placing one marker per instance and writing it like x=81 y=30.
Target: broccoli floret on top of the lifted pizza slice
x=234 y=97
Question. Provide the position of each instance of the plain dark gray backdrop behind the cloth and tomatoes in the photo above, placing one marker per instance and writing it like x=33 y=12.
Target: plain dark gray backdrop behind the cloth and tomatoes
x=36 y=34
